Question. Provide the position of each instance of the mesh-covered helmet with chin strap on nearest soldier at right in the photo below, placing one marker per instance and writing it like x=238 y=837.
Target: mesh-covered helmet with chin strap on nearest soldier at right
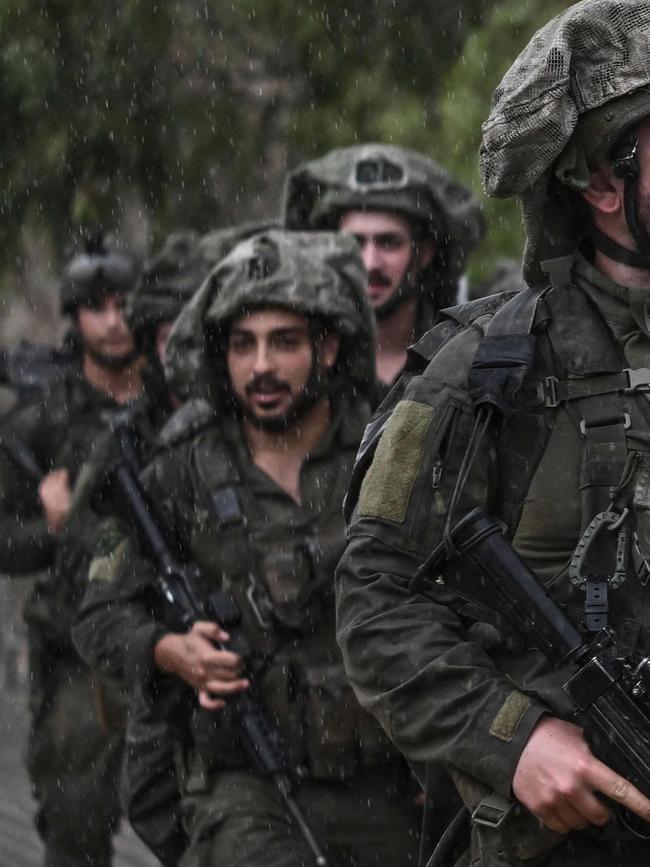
x=561 y=110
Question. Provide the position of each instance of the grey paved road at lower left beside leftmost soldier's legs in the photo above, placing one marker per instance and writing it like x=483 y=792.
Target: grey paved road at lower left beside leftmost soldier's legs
x=19 y=843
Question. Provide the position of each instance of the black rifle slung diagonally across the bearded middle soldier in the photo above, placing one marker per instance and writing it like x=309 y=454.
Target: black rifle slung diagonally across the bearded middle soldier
x=178 y=582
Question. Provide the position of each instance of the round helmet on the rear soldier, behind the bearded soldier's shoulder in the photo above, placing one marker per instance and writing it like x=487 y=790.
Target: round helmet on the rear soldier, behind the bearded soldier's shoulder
x=386 y=178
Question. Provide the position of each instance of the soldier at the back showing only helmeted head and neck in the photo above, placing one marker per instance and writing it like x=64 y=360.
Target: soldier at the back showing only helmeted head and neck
x=415 y=225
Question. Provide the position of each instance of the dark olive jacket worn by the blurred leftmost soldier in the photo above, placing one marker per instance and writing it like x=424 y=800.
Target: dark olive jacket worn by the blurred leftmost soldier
x=62 y=428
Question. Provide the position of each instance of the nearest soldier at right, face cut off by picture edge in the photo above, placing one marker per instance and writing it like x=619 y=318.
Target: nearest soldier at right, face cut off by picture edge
x=528 y=407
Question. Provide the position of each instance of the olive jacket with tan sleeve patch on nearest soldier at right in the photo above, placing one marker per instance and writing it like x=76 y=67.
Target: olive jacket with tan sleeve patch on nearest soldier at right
x=447 y=679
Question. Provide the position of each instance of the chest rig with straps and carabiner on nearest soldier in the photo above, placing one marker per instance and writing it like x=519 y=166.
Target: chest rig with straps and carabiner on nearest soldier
x=549 y=349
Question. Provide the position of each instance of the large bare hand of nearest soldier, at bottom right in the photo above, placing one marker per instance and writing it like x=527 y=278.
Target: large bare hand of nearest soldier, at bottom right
x=559 y=780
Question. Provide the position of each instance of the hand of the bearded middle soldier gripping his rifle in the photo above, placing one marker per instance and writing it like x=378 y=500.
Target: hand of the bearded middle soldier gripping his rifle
x=193 y=657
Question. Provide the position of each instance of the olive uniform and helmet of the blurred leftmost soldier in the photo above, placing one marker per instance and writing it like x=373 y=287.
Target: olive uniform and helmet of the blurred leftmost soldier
x=76 y=738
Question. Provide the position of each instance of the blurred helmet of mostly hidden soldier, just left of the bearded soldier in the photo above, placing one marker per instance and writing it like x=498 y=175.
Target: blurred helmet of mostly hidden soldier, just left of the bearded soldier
x=168 y=281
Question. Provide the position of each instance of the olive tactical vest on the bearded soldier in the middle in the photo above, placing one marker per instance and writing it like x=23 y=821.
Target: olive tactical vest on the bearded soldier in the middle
x=281 y=573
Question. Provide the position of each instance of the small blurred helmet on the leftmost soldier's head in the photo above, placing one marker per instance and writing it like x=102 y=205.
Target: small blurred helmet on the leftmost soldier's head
x=93 y=274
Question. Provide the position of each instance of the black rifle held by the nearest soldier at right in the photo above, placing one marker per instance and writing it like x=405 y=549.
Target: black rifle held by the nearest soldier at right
x=610 y=686
